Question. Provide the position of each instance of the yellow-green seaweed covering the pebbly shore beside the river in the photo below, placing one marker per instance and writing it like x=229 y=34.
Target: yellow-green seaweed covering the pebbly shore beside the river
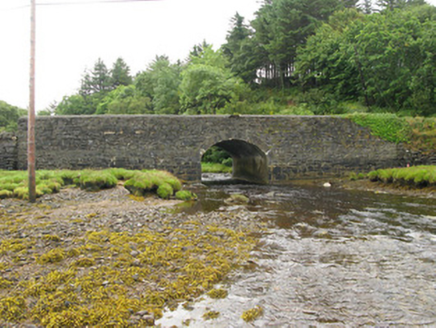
x=92 y=275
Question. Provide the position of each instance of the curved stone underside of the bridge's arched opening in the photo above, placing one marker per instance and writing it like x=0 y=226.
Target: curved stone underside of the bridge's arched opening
x=250 y=163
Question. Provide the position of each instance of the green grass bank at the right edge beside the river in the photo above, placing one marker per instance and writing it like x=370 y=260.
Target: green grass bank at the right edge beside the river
x=415 y=176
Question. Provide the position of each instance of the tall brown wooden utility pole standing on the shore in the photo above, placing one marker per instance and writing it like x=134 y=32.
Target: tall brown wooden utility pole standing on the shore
x=31 y=120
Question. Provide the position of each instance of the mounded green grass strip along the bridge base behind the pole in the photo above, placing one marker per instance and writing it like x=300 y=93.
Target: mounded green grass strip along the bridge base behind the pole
x=14 y=184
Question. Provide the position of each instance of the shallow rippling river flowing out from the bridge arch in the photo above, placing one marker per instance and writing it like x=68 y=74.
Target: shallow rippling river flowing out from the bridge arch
x=332 y=258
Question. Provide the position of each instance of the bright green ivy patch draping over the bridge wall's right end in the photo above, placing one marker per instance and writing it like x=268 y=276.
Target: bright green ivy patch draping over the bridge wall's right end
x=386 y=126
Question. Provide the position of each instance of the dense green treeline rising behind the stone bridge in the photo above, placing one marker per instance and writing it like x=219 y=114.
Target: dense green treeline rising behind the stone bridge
x=295 y=57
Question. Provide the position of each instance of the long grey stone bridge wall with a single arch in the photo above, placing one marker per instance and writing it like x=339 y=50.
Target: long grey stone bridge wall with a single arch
x=264 y=148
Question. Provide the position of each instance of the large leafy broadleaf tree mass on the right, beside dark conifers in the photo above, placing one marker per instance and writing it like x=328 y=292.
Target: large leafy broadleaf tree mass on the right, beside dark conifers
x=384 y=59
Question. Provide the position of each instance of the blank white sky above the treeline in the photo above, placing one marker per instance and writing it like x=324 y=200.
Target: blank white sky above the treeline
x=69 y=39
